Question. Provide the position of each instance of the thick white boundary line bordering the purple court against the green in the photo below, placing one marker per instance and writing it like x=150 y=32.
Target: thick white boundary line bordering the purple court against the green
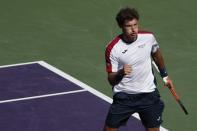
x=74 y=80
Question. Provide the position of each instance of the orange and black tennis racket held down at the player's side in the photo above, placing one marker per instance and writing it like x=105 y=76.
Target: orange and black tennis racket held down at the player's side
x=172 y=90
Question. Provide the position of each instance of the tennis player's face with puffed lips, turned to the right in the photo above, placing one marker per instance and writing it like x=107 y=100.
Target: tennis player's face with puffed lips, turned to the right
x=130 y=29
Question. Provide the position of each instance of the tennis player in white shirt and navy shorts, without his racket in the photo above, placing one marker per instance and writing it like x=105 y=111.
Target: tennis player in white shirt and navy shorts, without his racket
x=128 y=64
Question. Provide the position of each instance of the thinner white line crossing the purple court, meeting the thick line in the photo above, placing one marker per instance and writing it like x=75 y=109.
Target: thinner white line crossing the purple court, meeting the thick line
x=41 y=96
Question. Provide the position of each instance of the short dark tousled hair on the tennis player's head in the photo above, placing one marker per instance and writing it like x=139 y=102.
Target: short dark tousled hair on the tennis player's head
x=126 y=14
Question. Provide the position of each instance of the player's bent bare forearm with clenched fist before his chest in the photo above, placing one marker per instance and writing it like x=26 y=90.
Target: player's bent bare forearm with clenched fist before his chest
x=115 y=77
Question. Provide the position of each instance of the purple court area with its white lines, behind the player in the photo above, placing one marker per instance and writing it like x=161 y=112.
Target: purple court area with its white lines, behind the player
x=36 y=96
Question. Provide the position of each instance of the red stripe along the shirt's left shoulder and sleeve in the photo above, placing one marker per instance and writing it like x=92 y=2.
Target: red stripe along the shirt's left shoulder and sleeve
x=108 y=51
